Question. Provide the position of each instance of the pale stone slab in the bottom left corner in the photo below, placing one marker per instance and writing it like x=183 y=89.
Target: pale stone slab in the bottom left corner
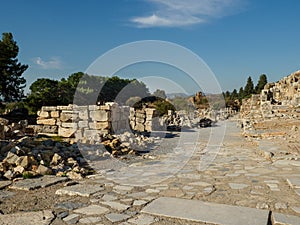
x=27 y=218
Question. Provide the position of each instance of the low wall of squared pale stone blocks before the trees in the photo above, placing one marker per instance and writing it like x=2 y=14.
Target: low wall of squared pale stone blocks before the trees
x=92 y=121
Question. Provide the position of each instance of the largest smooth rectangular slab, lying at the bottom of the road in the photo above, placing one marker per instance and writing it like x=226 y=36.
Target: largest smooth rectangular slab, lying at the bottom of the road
x=206 y=212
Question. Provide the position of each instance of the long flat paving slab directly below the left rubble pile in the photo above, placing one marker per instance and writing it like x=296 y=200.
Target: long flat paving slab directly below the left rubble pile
x=41 y=182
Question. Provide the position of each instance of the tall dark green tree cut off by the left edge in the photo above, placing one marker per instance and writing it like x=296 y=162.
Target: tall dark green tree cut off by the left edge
x=11 y=81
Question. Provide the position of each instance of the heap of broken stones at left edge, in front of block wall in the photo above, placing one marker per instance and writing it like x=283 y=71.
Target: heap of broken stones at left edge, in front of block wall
x=34 y=156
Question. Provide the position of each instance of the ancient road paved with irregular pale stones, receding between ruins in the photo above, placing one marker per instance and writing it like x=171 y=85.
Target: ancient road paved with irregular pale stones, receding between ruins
x=220 y=181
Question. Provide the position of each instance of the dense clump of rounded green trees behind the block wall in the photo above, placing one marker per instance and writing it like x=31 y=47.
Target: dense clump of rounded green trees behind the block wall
x=83 y=89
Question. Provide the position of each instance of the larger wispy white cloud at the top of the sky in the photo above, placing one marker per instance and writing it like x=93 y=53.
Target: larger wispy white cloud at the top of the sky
x=179 y=13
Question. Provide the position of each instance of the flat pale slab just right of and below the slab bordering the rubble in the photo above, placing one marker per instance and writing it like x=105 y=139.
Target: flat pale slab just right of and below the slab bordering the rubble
x=84 y=190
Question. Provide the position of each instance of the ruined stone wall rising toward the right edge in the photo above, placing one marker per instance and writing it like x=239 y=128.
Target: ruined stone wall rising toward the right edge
x=280 y=100
